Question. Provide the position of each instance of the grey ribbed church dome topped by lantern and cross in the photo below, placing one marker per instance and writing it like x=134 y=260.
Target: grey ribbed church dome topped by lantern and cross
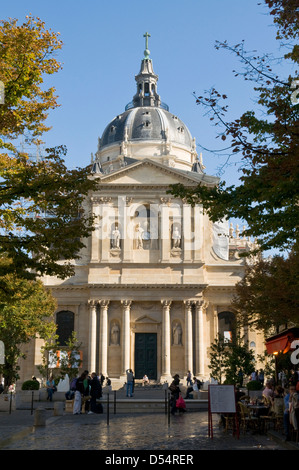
x=146 y=129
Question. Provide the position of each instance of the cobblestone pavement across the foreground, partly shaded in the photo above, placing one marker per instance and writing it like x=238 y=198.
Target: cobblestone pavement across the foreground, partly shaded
x=150 y=431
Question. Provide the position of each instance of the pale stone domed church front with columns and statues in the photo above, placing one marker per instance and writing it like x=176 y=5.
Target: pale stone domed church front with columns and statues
x=156 y=273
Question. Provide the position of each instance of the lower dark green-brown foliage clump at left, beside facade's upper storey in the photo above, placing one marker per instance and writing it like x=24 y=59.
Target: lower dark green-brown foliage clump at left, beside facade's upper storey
x=43 y=223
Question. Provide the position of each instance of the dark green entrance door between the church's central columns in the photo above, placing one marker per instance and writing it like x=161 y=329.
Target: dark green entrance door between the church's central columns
x=146 y=355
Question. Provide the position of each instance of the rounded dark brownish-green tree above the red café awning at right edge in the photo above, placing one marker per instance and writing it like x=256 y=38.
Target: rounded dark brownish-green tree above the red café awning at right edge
x=268 y=294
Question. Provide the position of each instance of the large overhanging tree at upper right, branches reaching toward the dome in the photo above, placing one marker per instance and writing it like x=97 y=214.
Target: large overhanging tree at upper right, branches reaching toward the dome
x=267 y=196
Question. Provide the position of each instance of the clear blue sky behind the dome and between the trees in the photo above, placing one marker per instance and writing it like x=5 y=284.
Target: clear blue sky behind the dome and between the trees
x=103 y=48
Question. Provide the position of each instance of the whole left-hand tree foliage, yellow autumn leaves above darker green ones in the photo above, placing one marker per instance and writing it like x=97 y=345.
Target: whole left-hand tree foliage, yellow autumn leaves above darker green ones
x=42 y=221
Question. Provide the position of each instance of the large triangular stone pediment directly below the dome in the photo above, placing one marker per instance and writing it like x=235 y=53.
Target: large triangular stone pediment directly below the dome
x=149 y=172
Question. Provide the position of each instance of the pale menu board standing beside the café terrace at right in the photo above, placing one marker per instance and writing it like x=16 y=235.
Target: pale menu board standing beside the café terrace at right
x=222 y=399
